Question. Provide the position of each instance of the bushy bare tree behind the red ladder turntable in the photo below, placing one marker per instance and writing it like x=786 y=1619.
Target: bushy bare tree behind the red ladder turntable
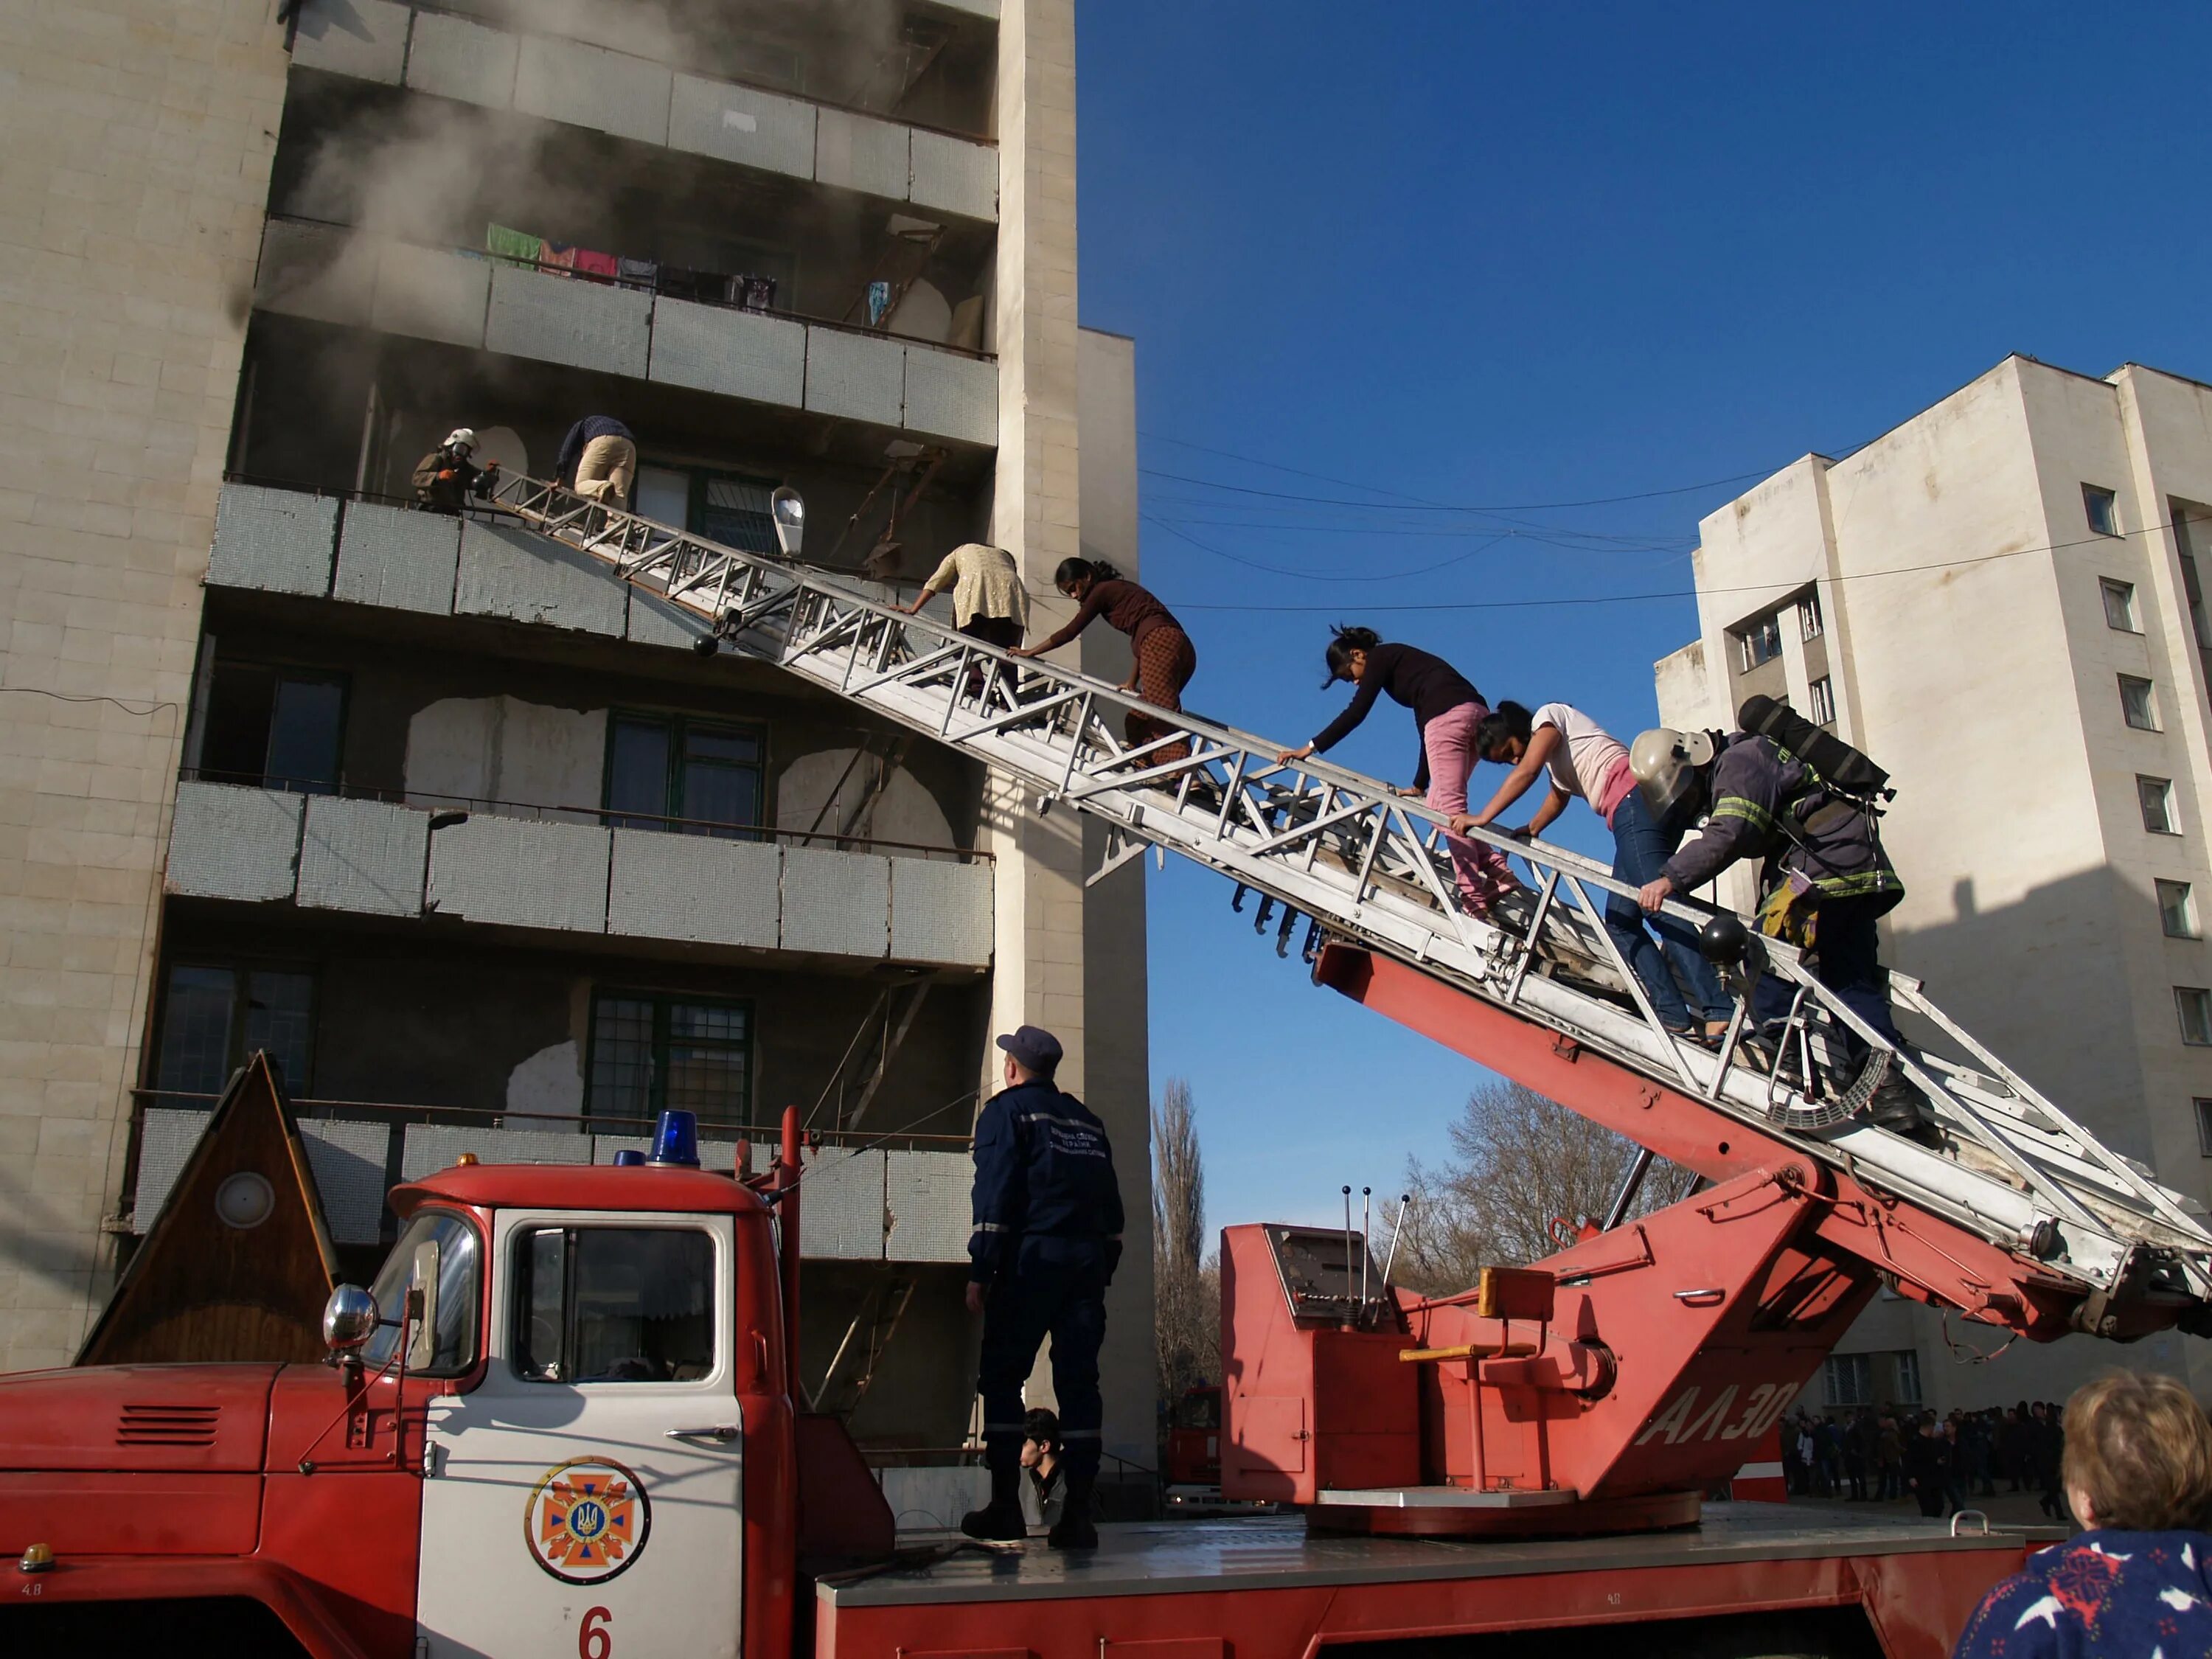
x=1521 y=1176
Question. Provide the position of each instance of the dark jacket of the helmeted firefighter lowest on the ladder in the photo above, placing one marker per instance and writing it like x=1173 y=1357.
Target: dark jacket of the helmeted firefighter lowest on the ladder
x=1771 y=806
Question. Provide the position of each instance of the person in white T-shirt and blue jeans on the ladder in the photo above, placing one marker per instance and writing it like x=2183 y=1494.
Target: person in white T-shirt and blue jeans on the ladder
x=1585 y=762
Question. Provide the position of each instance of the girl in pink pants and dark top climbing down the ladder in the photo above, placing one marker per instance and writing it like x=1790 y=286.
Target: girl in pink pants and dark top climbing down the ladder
x=1446 y=711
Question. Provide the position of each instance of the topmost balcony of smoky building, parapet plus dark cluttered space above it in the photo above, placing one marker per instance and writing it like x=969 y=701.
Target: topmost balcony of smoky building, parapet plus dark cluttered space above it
x=837 y=143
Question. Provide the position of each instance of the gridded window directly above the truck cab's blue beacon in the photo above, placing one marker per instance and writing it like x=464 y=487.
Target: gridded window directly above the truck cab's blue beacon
x=651 y=1054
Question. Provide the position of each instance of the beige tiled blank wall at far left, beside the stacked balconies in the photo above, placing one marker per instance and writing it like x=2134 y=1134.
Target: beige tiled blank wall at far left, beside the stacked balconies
x=134 y=158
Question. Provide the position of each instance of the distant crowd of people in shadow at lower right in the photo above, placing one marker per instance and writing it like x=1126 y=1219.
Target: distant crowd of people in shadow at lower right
x=1943 y=1463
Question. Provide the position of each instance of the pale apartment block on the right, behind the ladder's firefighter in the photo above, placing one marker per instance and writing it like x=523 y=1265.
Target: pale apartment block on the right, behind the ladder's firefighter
x=2003 y=603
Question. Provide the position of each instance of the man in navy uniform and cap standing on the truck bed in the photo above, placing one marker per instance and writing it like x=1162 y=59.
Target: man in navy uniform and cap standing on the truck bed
x=1045 y=1246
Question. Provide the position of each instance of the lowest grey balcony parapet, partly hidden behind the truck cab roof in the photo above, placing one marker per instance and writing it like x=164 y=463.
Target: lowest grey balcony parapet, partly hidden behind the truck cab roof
x=864 y=1202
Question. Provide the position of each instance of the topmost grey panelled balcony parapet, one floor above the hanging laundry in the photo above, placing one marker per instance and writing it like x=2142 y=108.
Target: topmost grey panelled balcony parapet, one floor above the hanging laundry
x=636 y=98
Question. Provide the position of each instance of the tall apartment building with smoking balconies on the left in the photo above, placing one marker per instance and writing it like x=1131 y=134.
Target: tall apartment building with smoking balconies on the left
x=470 y=837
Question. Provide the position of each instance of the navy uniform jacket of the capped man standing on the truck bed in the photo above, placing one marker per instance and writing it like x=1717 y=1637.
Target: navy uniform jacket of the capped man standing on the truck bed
x=1043 y=1167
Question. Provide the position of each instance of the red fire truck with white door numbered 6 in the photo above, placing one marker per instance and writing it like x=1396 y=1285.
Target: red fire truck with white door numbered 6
x=563 y=1421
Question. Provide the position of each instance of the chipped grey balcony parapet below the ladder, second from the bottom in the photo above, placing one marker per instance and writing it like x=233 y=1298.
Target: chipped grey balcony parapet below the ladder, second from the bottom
x=382 y=859
